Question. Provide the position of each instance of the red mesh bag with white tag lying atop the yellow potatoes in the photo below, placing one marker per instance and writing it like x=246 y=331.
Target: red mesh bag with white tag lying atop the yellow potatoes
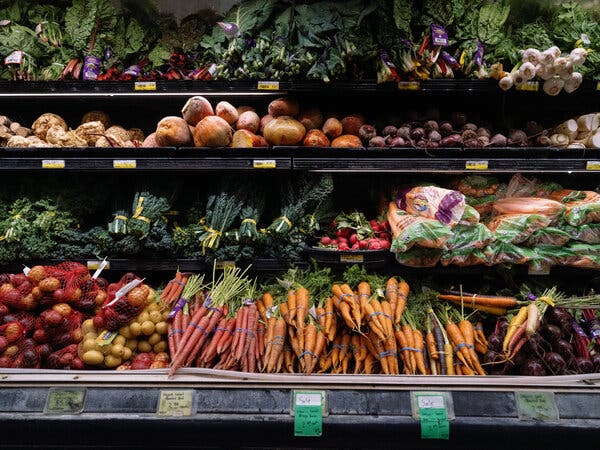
x=125 y=301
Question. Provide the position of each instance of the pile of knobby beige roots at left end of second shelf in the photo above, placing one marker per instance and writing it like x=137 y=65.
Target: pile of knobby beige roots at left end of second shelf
x=51 y=130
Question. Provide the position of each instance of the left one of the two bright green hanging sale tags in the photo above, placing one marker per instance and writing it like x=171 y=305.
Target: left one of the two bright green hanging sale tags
x=308 y=408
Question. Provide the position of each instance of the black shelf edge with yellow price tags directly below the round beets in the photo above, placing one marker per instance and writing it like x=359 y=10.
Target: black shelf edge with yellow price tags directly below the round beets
x=447 y=160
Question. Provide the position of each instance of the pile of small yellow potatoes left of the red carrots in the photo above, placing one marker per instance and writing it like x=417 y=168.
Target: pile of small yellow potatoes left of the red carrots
x=147 y=333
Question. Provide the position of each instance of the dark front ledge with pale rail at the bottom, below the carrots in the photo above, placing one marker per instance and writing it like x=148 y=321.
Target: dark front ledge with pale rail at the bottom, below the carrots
x=259 y=408
